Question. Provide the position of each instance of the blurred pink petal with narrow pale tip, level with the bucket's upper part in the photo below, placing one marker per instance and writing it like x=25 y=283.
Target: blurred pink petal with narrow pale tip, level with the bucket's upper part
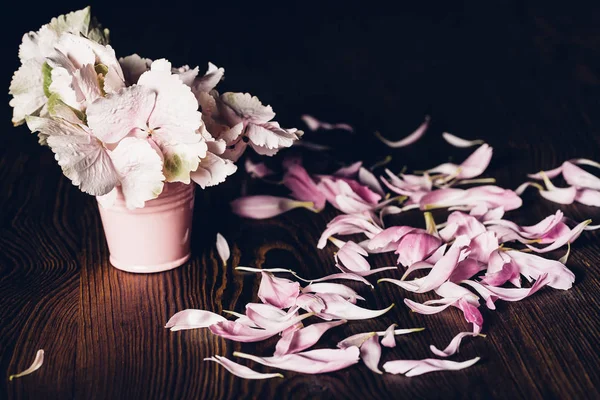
x=262 y=207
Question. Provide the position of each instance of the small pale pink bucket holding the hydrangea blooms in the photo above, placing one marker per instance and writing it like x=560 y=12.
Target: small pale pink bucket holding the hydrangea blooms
x=154 y=238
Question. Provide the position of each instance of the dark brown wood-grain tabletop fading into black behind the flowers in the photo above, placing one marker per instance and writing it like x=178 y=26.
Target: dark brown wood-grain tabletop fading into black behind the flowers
x=522 y=76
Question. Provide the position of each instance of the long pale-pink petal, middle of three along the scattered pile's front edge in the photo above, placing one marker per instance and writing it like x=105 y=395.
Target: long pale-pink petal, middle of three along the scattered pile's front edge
x=310 y=362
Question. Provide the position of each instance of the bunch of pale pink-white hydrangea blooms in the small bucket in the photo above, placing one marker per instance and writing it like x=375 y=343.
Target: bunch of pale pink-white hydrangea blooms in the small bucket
x=132 y=124
